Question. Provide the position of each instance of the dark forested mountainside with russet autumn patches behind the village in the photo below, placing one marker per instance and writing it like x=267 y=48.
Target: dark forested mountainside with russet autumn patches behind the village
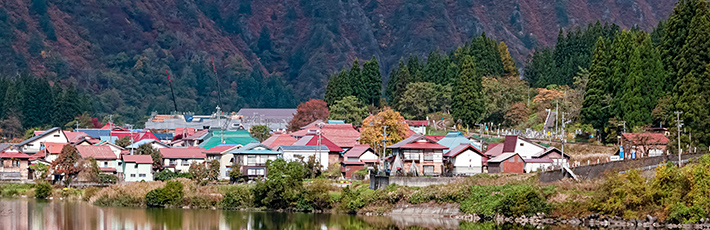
x=264 y=51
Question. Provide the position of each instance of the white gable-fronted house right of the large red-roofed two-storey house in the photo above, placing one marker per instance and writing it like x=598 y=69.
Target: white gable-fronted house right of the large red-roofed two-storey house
x=466 y=159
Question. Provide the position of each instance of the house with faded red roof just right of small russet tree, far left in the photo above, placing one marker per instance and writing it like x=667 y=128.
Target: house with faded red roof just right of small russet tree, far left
x=105 y=158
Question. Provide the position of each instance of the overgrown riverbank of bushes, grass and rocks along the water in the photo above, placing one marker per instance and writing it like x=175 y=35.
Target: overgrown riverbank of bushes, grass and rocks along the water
x=664 y=197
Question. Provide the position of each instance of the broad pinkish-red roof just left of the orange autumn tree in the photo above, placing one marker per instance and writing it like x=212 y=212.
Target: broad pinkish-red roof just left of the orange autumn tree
x=343 y=135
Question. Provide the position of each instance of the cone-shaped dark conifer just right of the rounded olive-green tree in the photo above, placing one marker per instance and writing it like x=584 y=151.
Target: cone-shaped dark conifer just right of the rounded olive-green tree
x=467 y=101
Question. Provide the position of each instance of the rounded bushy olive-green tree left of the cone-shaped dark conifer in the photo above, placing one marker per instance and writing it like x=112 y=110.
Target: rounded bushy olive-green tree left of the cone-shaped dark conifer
x=422 y=98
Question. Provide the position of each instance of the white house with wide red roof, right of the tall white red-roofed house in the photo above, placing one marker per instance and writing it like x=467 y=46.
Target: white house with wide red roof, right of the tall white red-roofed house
x=179 y=159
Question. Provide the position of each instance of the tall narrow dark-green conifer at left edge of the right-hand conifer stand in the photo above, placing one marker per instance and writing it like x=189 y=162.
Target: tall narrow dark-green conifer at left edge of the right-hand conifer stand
x=595 y=106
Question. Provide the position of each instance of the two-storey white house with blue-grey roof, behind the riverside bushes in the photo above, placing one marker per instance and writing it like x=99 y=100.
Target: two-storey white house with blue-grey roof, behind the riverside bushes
x=252 y=158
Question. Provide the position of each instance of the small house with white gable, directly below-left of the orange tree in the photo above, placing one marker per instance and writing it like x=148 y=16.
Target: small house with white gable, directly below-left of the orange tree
x=358 y=158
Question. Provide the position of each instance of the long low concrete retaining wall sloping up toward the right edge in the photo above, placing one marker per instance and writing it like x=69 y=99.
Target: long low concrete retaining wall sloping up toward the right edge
x=598 y=170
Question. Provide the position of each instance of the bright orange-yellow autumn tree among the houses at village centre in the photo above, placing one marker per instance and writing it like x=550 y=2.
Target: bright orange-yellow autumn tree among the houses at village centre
x=372 y=128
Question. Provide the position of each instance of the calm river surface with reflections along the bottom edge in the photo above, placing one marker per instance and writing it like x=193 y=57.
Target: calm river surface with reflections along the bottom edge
x=69 y=215
